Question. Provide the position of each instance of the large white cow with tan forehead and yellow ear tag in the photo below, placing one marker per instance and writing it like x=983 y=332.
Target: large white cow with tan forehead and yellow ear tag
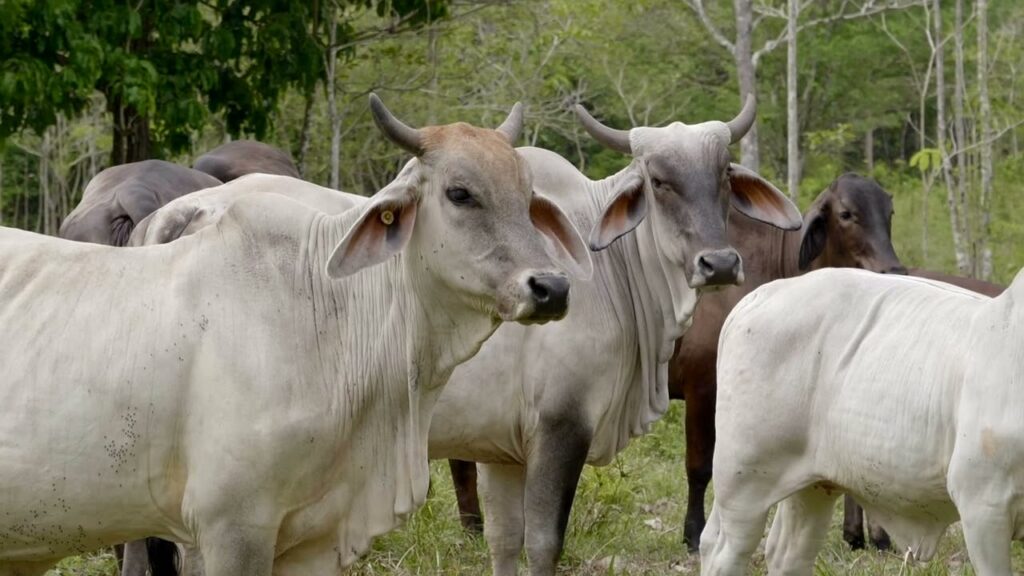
x=262 y=388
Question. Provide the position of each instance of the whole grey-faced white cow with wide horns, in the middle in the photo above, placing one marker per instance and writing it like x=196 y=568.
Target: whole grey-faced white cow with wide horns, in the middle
x=539 y=402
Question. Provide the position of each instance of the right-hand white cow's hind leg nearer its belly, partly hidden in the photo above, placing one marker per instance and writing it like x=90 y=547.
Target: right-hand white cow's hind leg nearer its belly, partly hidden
x=798 y=532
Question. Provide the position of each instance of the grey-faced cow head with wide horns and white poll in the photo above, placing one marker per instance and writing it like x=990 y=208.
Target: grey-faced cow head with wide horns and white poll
x=684 y=175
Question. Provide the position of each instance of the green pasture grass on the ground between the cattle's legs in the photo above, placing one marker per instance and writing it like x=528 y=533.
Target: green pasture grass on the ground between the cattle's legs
x=627 y=521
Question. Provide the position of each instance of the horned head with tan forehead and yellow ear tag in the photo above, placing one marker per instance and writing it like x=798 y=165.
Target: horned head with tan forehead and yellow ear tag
x=465 y=215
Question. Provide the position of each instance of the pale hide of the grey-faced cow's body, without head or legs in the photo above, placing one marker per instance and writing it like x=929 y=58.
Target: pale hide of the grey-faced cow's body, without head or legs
x=609 y=356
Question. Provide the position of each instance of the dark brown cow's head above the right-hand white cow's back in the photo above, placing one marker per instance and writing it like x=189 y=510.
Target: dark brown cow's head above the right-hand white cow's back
x=850 y=226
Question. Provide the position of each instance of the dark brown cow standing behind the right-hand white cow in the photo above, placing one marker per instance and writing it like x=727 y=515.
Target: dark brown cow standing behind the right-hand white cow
x=848 y=225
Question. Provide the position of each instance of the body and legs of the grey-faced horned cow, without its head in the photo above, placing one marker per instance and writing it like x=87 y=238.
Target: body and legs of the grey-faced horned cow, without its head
x=538 y=403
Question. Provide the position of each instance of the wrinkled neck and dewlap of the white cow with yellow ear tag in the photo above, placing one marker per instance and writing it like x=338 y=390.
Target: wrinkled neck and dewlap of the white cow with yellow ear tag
x=389 y=363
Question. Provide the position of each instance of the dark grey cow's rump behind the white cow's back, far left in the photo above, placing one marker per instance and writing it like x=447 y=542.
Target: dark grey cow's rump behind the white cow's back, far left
x=118 y=198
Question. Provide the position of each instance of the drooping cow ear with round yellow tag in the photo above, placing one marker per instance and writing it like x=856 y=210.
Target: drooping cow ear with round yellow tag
x=381 y=232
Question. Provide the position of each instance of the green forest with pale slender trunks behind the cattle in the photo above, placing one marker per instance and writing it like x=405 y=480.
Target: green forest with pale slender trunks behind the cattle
x=921 y=95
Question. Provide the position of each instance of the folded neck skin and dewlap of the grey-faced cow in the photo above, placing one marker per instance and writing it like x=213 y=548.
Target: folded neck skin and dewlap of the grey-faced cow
x=660 y=304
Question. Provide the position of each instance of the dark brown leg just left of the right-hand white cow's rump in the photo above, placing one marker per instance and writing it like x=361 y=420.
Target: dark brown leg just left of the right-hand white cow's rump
x=700 y=449
